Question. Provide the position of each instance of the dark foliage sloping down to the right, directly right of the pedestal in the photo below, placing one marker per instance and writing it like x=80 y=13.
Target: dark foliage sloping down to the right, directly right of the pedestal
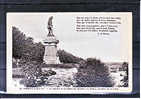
x=66 y=57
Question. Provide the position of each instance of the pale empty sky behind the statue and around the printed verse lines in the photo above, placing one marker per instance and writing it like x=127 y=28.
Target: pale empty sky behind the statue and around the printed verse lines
x=107 y=48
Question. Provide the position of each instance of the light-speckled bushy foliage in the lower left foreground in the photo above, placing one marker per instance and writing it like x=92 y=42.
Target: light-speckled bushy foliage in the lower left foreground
x=34 y=76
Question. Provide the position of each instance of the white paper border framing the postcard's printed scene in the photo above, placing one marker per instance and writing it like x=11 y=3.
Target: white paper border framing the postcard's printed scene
x=51 y=90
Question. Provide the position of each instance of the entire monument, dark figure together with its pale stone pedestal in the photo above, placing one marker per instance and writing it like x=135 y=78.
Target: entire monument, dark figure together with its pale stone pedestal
x=50 y=43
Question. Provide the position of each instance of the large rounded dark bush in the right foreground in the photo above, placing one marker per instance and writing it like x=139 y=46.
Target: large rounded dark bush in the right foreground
x=94 y=74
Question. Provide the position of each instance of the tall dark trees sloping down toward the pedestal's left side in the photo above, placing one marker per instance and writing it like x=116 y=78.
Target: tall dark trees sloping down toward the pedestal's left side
x=25 y=48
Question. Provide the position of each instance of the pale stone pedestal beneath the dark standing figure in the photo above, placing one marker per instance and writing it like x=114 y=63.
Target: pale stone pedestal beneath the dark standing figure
x=50 y=55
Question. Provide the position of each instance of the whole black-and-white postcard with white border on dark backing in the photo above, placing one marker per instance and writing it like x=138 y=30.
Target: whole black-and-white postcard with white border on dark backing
x=89 y=52
